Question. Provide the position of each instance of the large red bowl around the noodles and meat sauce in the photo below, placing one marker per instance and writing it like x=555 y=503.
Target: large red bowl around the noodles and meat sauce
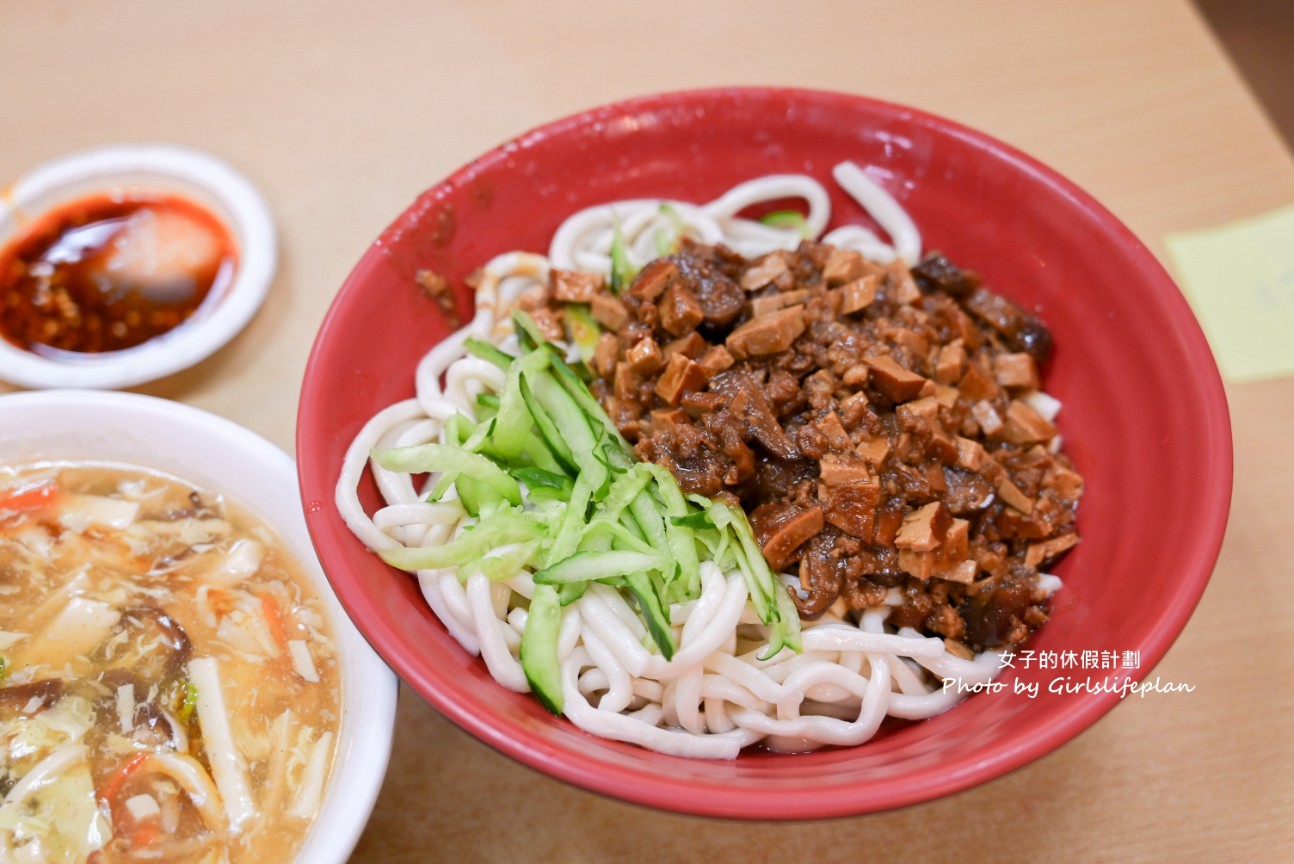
x=1145 y=420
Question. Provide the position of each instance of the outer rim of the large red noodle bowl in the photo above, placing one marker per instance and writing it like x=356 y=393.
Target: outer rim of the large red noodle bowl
x=661 y=791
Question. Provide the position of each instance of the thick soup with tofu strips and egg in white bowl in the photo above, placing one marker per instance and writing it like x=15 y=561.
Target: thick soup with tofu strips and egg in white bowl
x=170 y=687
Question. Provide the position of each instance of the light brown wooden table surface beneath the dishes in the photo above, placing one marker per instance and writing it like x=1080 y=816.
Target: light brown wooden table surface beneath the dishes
x=342 y=113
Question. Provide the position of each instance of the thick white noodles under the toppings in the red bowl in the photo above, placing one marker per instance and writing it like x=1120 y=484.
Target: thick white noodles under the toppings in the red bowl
x=716 y=695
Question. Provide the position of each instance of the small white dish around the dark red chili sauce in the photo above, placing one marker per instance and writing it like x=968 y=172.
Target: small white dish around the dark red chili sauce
x=161 y=169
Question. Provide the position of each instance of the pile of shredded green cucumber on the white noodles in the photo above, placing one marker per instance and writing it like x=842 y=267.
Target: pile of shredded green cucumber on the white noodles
x=554 y=488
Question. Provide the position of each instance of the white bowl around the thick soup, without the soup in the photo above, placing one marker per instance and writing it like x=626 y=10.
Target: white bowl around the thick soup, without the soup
x=218 y=455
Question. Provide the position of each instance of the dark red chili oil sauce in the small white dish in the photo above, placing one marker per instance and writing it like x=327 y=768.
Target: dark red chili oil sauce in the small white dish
x=111 y=272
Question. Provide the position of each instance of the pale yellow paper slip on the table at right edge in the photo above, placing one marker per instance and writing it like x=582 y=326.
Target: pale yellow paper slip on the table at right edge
x=1240 y=281
